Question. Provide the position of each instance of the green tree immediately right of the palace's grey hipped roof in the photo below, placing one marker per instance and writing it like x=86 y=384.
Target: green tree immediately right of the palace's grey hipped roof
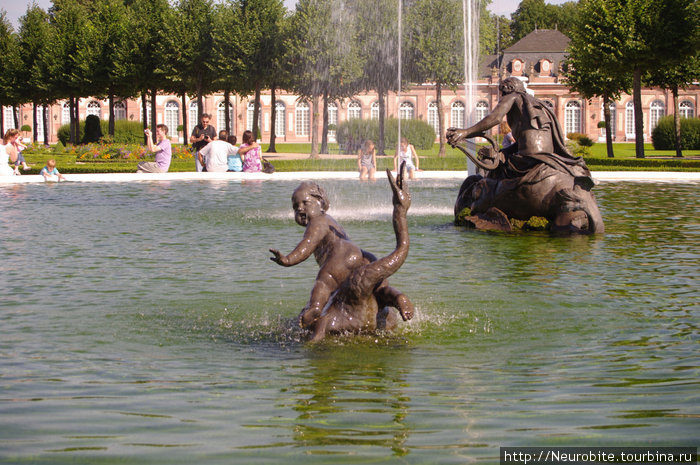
x=596 y=47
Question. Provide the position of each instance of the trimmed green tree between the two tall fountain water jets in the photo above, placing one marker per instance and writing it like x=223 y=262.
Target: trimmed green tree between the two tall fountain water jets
x=436 y=49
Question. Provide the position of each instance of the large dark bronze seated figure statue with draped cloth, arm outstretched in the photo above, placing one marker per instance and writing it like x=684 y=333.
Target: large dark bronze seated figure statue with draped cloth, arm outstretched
x=534 y=177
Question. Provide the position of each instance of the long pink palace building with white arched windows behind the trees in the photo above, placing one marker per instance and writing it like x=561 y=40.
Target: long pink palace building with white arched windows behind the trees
x=537 y=59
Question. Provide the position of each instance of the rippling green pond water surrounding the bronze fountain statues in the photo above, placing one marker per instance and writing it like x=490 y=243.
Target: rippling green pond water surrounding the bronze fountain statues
x=144 y=323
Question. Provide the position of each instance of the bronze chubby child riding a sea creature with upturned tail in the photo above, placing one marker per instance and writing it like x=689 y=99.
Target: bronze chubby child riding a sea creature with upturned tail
x=351 y=292
